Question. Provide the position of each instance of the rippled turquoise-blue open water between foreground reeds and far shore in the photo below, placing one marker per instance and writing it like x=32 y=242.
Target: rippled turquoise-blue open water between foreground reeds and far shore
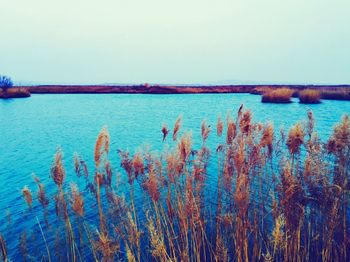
x=32 y=129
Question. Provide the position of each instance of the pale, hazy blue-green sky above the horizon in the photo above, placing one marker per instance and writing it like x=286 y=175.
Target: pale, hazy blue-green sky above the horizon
x=175 y=42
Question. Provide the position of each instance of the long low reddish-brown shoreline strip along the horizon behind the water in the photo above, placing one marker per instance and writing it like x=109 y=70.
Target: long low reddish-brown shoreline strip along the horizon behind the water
x=166 y=89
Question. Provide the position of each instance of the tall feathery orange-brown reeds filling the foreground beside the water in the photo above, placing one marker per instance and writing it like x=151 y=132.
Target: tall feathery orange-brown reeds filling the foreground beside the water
x=279 y=197
